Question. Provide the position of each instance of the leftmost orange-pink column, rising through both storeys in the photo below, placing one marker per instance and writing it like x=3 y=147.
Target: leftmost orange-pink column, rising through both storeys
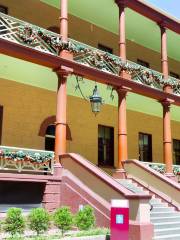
x=62 y=73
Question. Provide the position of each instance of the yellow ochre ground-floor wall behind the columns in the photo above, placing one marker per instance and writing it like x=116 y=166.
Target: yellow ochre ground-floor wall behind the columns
x=25 y=108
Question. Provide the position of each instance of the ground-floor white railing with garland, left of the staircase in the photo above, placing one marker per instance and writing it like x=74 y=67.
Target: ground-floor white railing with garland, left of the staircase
x=28 y=160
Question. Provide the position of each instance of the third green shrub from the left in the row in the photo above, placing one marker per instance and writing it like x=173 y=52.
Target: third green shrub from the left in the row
x=63 y=219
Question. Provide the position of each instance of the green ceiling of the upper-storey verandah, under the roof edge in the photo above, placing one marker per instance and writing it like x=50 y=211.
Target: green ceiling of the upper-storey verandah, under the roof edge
x=104 y=13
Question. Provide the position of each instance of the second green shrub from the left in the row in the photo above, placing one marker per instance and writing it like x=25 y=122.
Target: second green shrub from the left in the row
x=39 y=220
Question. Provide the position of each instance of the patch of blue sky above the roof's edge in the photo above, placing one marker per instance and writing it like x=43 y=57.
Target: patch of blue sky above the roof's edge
x=170 y=6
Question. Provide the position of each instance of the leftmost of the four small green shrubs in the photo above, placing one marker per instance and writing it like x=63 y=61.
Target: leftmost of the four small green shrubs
x=14 y=222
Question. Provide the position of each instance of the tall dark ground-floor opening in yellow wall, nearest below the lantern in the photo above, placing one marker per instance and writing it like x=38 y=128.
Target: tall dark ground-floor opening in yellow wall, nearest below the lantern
x=105 y=146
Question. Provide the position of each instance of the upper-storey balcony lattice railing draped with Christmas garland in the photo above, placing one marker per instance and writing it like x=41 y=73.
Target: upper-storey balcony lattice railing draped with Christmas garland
x=14 y=30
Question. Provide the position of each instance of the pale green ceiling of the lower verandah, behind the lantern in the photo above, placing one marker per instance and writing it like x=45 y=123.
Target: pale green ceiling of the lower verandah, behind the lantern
x=42 y=77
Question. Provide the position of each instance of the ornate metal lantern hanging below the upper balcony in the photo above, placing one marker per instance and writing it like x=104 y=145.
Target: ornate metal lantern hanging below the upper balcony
x=96 y=101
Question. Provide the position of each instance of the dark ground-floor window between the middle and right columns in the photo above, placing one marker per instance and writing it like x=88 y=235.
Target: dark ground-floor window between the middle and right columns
x=145 y=147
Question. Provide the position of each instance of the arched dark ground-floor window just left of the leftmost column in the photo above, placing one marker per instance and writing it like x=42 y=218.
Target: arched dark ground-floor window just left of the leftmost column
x=50 y=138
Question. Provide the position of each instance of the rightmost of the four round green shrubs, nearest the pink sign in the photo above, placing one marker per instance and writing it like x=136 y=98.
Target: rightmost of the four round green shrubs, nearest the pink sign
x=85 y=218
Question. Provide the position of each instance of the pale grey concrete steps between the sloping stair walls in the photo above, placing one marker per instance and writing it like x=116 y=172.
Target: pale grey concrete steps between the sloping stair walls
x=165 y=219
